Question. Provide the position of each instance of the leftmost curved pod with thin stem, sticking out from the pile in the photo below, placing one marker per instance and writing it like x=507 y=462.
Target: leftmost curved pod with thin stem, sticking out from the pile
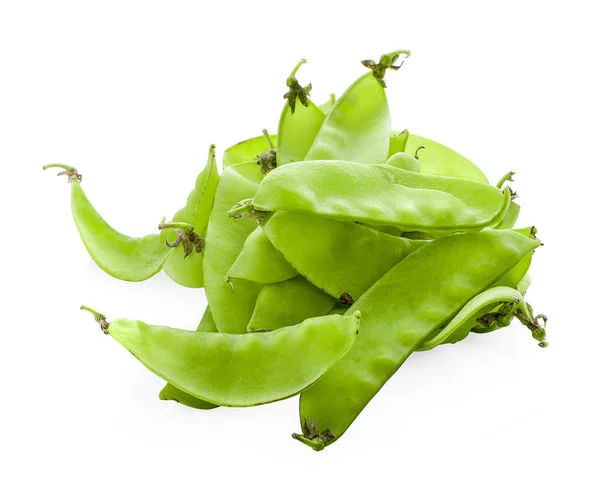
x=123 y=257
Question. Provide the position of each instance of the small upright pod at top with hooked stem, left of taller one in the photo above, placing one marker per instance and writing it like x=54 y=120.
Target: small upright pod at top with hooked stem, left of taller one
x=297 y=128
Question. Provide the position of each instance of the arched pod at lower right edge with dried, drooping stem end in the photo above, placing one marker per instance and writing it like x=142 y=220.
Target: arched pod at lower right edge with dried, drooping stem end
x=506 y=301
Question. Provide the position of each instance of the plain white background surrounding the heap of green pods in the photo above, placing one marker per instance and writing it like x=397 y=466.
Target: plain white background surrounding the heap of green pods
x=132 y=93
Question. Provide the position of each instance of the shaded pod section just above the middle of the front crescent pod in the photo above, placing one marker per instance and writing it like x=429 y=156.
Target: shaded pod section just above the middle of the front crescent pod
x=289 y=303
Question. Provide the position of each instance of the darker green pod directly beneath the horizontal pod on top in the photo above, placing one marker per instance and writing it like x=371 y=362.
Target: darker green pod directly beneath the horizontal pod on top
x=341 y=258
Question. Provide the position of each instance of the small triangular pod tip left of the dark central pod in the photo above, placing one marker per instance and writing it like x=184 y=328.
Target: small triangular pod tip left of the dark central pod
x=260 y=262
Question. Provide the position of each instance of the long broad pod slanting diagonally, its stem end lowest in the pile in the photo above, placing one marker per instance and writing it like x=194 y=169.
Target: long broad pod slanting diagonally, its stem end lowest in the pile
x=399 y=312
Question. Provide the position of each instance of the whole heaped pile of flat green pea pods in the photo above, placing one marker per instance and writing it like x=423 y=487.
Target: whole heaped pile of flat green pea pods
x=329 y=252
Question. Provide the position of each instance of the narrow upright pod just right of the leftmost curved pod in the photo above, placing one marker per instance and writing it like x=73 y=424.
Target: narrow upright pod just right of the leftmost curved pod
x=184 y=266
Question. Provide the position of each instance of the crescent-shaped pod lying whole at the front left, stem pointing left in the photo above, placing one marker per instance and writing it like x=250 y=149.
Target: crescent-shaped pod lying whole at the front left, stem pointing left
x=238 y=370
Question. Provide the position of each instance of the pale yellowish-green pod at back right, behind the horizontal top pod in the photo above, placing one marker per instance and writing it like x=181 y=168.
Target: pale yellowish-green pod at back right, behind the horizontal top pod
x=439 y=160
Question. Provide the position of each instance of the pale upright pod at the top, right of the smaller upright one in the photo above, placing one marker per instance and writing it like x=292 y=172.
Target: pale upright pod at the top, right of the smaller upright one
x=358 y=126
